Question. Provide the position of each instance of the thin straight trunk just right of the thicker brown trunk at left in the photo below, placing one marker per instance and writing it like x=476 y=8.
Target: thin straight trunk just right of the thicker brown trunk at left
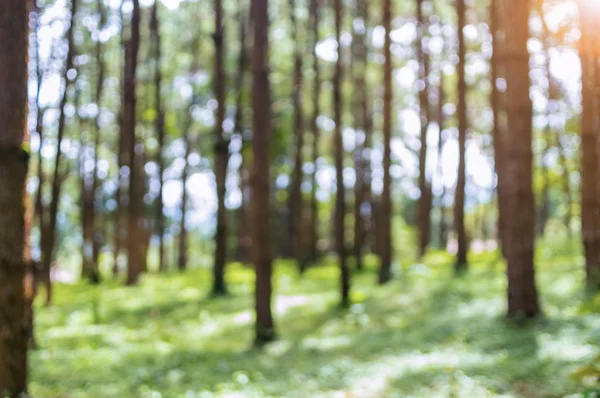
x=160 y=133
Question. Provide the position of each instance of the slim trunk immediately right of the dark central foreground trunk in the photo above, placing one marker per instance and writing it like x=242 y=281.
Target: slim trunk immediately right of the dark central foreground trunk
x=295 y=199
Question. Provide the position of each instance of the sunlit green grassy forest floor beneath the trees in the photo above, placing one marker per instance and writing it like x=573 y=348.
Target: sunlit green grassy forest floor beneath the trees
x=427 y=334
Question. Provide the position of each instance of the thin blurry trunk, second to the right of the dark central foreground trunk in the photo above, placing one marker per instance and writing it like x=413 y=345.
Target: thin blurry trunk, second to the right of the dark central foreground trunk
x=316 y=110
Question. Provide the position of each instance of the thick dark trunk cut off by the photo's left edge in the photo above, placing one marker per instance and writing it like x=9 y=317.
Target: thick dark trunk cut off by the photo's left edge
x=14 y=22
